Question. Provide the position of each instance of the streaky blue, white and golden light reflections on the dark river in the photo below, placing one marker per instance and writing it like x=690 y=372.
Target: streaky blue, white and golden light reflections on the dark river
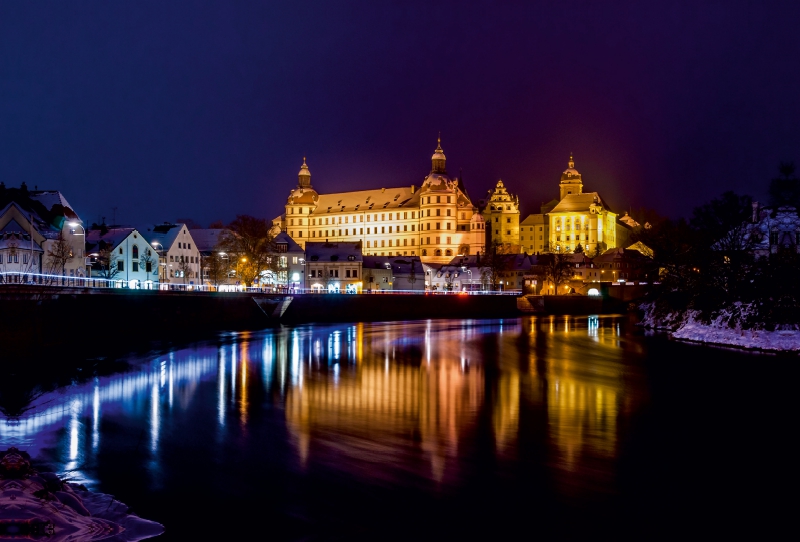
x=344 y=387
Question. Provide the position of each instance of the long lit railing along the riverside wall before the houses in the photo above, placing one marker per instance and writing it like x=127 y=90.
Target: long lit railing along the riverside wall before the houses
x=61 y=281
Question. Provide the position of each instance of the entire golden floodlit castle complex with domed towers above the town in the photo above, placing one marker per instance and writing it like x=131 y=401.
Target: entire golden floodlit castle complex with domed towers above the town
x=438 y=220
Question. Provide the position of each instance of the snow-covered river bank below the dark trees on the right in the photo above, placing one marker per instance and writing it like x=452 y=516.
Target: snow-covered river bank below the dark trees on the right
x=729 y=327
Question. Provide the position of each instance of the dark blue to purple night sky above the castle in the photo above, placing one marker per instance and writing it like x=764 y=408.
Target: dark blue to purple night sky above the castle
x=205 y=110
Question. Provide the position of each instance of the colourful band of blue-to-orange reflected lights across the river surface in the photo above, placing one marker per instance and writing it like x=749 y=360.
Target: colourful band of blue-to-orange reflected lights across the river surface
x=390 y=402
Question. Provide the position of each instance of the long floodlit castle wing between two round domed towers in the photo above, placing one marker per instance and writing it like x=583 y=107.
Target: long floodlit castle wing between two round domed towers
x=435 y=222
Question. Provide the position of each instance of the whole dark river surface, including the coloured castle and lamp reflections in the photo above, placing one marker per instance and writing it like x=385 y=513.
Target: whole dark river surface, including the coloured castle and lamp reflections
x=536 y=427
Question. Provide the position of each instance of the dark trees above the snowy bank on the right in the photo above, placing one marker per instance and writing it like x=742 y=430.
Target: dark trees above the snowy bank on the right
x=712 y=261
